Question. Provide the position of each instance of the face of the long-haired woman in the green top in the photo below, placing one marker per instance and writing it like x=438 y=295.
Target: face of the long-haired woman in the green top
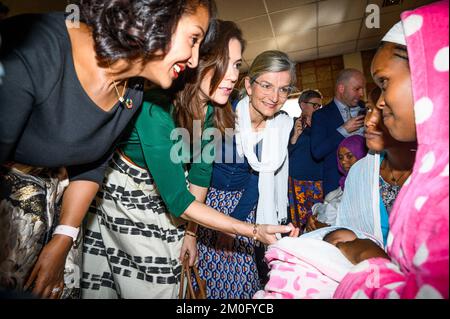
x=225 y=88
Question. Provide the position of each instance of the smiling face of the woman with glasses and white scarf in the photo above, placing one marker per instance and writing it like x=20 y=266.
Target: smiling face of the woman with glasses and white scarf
x=265 y=97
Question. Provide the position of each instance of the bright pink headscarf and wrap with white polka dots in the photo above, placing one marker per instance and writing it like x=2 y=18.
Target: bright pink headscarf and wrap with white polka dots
x=418 y=241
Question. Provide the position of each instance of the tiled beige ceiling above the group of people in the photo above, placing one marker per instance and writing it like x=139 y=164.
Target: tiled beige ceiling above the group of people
x=308 y=29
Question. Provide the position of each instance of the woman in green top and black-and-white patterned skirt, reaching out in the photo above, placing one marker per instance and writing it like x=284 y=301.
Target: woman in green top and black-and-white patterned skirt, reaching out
x=136 y=227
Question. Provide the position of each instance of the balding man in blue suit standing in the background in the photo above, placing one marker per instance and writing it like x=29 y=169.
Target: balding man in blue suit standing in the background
x=336 y=121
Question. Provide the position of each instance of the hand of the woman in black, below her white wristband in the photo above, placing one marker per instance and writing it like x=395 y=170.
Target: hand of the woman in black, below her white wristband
x=48 y=272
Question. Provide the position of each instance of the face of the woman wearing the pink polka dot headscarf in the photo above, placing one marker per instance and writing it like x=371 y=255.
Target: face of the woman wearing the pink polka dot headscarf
x=390 y=71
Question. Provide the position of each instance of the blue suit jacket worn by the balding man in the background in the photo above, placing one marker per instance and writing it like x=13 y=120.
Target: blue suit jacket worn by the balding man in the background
x=325 y=140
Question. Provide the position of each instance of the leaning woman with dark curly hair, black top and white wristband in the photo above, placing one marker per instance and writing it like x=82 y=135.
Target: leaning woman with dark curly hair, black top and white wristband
x=70 y=89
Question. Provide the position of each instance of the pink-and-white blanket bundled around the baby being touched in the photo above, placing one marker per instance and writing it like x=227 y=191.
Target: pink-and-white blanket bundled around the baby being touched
x=310 y=266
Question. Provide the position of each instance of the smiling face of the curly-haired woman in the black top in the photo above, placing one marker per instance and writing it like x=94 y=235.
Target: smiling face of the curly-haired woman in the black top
x=183 y=52
